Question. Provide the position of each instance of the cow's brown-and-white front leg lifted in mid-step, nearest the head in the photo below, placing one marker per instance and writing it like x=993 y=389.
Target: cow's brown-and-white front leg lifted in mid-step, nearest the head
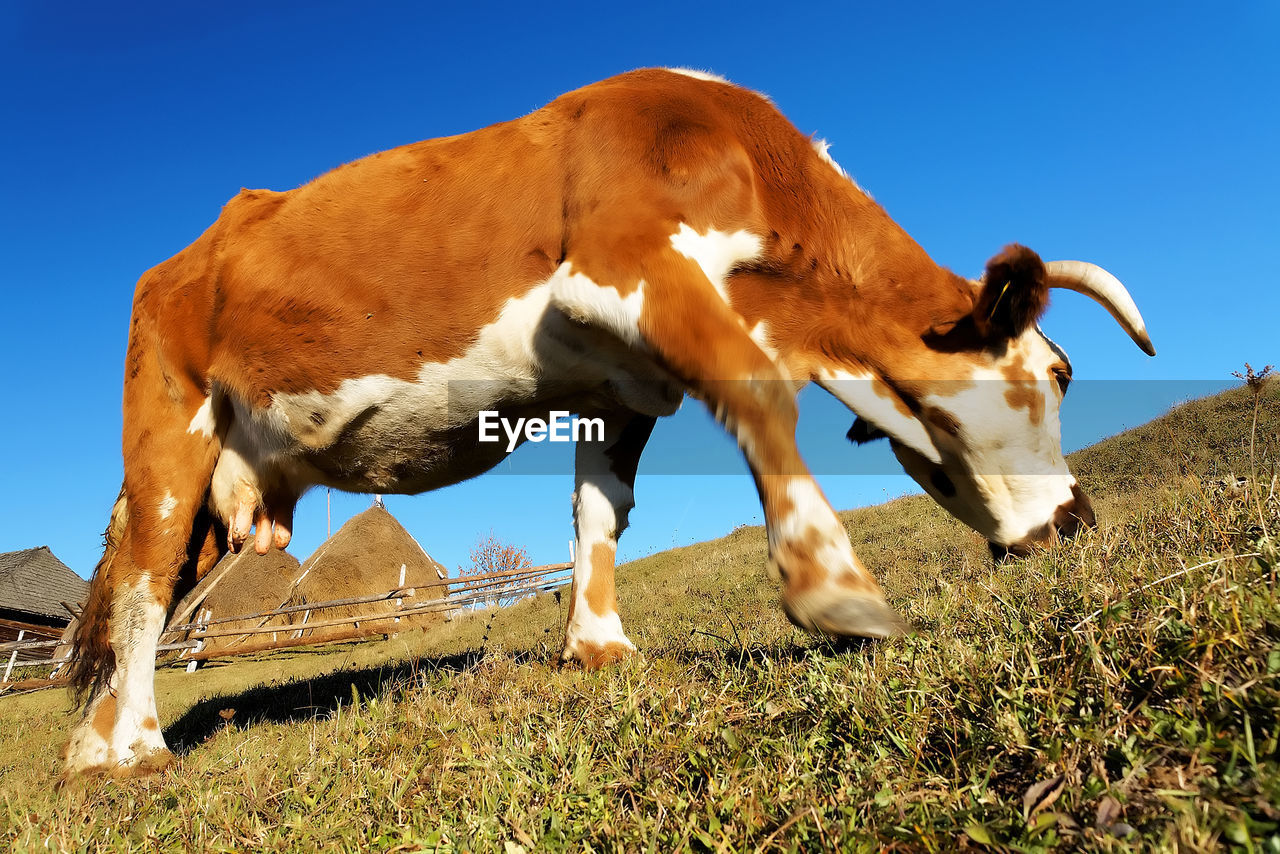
x=701 y=340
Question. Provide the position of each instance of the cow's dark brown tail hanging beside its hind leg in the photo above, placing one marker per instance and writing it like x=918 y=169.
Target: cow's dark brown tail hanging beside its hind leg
x=94 y=660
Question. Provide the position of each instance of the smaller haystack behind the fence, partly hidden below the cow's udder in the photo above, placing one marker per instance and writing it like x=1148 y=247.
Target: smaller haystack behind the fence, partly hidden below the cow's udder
x=241 y=584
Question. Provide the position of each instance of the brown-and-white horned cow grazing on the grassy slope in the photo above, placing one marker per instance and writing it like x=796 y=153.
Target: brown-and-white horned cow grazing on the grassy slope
x=656 y=235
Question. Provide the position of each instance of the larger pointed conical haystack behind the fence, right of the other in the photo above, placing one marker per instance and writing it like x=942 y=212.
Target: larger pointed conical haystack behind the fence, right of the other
x=364 y=559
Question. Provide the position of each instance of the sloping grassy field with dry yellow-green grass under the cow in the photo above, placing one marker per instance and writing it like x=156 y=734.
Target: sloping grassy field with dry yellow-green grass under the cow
x=1117 y=693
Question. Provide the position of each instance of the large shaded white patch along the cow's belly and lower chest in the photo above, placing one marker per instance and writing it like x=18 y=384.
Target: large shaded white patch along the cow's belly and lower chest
x=397 y=435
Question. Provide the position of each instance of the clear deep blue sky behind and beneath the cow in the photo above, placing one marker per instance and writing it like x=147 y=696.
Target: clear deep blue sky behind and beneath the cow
x=1141 y=136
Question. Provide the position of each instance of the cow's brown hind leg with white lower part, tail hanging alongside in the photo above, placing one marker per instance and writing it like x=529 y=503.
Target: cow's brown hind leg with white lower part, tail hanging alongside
x=167 y=476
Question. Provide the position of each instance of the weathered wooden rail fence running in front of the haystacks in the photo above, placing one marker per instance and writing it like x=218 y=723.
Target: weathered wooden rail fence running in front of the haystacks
x=189 y=638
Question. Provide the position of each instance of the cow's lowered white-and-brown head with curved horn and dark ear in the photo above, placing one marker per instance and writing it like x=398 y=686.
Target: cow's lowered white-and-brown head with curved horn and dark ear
x=971 y=401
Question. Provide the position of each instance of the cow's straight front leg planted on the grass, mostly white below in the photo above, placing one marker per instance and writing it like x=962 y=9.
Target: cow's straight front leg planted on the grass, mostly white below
x=605 y=479
